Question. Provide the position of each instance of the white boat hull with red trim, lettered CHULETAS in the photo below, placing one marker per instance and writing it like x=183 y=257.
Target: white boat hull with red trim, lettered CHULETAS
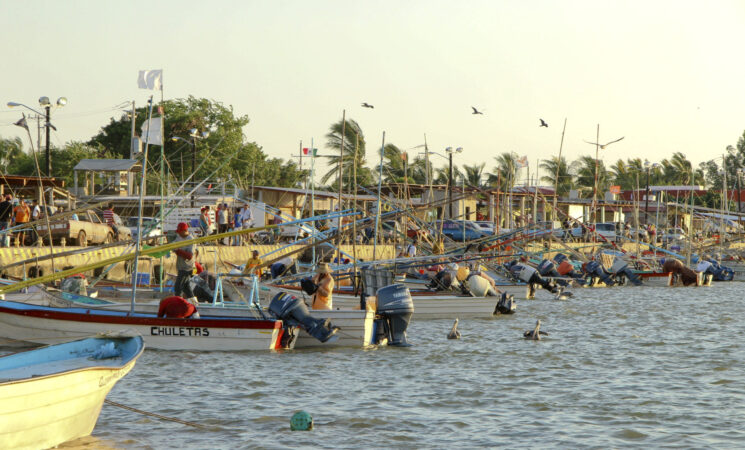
x=47 y=325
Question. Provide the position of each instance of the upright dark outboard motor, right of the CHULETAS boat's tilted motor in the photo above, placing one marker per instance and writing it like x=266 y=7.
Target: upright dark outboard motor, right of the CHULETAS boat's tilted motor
x=395 y=307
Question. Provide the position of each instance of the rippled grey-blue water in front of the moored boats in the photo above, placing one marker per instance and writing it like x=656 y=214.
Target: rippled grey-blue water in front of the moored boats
x=623 y=367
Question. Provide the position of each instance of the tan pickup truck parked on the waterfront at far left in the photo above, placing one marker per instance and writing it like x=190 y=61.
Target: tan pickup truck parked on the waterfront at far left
x=89 y=228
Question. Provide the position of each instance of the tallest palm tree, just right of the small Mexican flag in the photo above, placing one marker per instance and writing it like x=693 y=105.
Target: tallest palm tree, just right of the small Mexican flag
x=354 y=139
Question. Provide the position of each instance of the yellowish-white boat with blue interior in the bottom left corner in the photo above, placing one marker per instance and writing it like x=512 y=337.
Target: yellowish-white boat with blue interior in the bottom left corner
x=54 y=394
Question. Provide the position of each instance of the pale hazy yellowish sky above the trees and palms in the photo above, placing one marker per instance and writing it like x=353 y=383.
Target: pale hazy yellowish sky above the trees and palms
x=667 y=75
